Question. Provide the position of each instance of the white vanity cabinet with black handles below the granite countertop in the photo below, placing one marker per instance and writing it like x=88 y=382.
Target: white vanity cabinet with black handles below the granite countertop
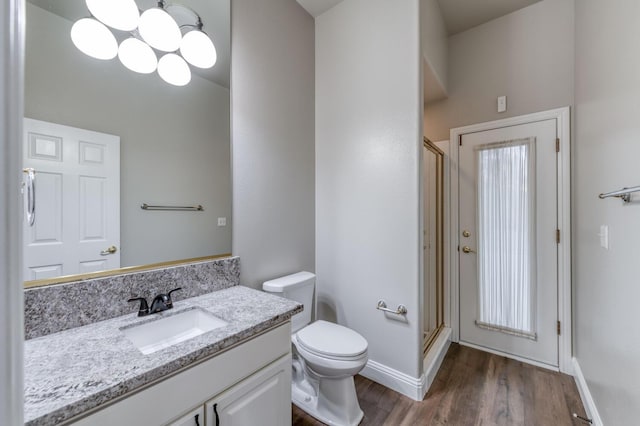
x=249 y=384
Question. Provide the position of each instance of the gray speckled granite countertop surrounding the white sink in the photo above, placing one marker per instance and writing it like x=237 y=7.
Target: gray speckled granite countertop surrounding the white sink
x=75 y=370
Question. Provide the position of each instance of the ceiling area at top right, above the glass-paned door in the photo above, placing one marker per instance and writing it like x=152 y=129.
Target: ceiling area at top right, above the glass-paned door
x=461 y=15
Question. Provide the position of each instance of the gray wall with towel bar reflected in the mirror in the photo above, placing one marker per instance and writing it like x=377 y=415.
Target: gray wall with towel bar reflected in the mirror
x=174 y=140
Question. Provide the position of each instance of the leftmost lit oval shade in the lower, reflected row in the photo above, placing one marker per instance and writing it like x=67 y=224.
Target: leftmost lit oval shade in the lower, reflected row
x=94 y=39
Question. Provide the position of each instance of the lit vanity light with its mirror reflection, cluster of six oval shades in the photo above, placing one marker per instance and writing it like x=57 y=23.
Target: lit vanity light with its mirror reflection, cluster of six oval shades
x=145 y=35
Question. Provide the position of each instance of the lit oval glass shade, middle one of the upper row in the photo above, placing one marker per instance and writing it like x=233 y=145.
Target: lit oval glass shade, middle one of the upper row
x=160 y=30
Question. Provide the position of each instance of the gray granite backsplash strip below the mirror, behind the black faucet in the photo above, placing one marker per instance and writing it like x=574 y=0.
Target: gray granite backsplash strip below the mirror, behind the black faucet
x=60 y=307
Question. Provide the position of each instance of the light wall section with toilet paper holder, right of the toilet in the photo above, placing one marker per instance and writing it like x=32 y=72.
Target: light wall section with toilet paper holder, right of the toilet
x=368 y=144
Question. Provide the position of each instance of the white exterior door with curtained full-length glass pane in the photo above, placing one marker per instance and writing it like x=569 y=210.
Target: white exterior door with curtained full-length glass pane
x=507 y=240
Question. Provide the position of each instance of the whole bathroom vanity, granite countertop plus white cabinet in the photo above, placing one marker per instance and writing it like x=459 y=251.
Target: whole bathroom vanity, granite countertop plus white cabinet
x=239 y=372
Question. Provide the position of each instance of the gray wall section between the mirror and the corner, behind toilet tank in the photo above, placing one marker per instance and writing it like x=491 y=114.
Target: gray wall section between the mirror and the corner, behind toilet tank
x=273 y=138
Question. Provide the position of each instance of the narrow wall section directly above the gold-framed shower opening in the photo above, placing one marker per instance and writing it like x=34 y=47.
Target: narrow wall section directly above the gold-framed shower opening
x=434 y=39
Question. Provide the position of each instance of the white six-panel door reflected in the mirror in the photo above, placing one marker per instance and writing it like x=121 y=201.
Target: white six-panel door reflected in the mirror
x=77 y=207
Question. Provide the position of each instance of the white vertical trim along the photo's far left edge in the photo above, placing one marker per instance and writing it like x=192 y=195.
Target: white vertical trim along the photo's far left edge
x=11 y=290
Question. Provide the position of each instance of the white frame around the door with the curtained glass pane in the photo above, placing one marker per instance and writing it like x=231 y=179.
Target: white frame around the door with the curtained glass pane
x=563 y=132
